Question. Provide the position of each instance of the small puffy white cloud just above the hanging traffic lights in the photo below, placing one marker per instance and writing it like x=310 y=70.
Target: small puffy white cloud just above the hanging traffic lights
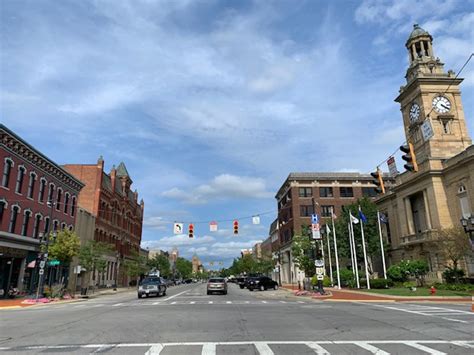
x=223 y=186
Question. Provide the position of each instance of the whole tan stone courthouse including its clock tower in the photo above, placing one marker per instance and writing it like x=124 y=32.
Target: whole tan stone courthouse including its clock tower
x=442 y=191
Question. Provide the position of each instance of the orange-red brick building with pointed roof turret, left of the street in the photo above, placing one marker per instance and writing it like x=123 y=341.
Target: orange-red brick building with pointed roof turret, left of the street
x=119 y=215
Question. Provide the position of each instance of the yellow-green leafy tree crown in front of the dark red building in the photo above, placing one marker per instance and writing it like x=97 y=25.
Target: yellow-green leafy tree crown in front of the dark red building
x=63 y=247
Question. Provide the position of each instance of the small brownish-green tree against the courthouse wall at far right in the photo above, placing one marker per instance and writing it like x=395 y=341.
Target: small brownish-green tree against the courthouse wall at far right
x=455 y=245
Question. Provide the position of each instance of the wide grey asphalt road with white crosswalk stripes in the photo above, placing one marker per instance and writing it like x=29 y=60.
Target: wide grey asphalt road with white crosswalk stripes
x=187 y=321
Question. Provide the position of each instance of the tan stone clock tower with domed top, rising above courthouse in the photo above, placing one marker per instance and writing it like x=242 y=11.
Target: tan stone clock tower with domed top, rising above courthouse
x=431 y=105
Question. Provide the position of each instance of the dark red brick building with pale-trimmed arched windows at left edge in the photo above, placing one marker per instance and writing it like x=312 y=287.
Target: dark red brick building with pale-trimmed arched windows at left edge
x=29 y=180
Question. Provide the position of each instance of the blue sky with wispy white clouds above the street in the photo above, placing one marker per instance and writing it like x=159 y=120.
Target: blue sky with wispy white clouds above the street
x=211 y=104
